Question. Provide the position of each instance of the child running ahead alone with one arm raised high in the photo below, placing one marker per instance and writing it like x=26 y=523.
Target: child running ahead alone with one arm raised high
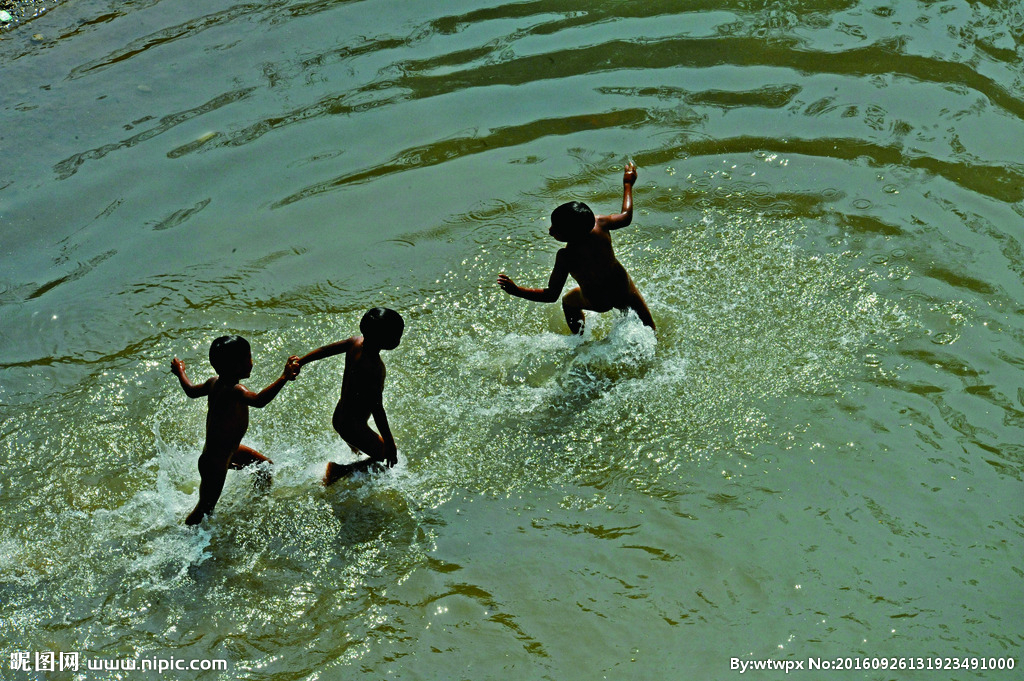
x=588 y=257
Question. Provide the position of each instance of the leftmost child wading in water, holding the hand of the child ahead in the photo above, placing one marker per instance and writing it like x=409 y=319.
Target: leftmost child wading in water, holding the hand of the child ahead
x=228 y=418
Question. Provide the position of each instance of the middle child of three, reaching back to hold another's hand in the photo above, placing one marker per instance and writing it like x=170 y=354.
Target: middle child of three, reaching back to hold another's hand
x=363 y=392
